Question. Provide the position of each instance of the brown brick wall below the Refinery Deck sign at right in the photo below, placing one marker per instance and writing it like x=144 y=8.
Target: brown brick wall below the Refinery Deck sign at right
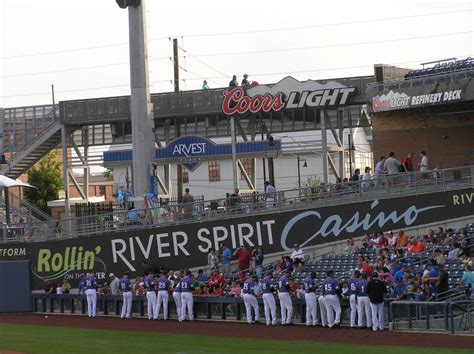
x=447 y=140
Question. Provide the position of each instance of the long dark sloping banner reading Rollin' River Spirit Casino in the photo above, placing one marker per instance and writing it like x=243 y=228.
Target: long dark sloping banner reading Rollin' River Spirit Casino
x=185 y=246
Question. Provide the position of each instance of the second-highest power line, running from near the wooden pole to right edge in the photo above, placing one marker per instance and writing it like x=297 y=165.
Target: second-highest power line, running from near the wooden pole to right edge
x=332 y=45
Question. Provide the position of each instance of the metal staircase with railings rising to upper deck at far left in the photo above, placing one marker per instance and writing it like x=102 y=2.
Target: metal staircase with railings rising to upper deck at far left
x=39 y=135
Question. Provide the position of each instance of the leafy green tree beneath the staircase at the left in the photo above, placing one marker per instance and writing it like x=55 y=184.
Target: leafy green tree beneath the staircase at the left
x=46 y=177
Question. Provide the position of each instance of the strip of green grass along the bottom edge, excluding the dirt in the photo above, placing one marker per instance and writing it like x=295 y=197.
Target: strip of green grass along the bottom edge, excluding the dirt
x=42 y=339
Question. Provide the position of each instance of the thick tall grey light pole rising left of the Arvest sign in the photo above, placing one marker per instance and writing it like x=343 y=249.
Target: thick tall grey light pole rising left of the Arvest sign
x=140 y=108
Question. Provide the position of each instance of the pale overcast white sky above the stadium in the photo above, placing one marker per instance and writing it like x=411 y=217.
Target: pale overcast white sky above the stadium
x=81 y=47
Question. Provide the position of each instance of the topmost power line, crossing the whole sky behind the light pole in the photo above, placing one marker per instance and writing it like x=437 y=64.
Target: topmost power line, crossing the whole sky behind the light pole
x=240 y=33
